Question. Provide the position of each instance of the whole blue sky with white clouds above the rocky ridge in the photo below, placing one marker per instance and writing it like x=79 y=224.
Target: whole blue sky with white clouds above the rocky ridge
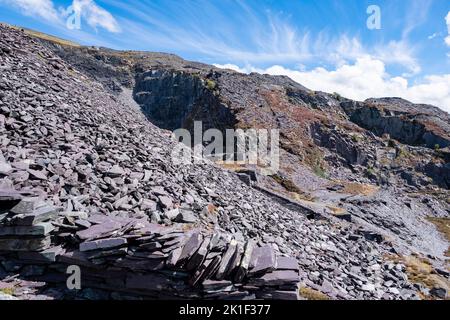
x=324 y=44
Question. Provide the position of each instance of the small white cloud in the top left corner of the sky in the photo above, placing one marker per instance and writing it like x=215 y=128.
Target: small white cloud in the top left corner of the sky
x=35 y=8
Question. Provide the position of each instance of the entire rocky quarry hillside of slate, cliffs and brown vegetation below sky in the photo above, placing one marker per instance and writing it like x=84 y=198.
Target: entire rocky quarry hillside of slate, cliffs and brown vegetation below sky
x=359 y=209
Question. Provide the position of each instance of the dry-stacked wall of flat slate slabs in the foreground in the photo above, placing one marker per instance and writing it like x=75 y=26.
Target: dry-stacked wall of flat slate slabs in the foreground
x=137 y=257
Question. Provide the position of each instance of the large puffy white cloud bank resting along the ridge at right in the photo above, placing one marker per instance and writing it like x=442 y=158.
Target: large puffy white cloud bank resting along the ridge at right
x=366 y=78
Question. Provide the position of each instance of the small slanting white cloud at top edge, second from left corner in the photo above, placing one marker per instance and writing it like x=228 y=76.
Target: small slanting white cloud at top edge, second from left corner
x=95 y=15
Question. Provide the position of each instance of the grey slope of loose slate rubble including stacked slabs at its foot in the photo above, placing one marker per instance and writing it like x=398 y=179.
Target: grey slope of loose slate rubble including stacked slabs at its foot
x=87 y=180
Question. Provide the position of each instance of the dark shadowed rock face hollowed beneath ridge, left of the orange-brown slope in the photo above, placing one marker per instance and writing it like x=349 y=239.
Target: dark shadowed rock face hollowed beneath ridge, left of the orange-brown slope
x=174 y=100
